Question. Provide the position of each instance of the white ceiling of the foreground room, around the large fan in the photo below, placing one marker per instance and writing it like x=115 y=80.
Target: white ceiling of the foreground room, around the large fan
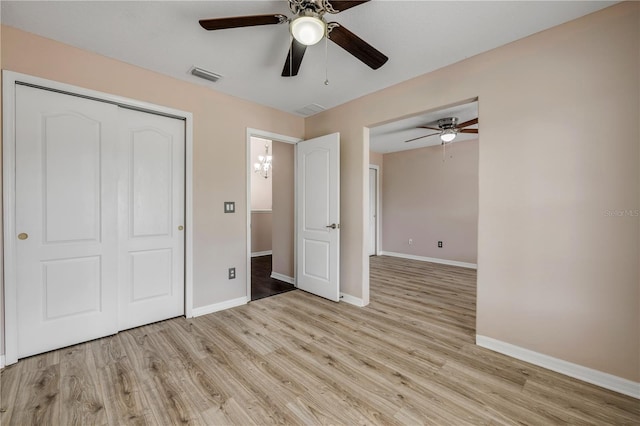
x=417 y=36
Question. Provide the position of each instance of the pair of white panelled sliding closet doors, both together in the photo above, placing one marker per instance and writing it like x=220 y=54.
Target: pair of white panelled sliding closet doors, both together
x=97 y=217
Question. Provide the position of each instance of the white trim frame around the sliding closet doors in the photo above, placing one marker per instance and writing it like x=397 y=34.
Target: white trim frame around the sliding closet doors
x=9 y=81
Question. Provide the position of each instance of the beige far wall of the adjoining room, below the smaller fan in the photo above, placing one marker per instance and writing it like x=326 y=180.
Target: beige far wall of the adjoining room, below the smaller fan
x=429 y=200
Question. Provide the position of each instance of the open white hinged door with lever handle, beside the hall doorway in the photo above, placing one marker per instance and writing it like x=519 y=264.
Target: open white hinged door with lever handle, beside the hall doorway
x=318 y=212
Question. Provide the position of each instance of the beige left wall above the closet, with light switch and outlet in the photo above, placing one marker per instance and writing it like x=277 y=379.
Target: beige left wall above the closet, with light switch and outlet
x=219 y=136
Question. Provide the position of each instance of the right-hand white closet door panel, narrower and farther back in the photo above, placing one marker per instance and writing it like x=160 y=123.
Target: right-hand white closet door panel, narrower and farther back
x=151 y=218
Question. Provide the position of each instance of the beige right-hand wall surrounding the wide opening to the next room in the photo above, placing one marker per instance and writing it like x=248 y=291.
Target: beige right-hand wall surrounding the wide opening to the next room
x=556 y=274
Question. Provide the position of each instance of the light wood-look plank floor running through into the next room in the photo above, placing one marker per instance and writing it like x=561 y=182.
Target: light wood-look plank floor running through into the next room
x=407 y=358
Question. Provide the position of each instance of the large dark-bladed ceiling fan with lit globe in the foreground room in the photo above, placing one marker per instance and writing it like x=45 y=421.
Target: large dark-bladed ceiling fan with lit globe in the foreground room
x=308 y=27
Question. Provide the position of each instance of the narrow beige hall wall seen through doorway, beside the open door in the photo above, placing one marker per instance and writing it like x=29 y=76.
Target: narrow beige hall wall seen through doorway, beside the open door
x=283 y=208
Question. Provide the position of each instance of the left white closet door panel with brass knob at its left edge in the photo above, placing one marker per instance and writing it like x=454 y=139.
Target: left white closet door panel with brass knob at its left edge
x=65 y=216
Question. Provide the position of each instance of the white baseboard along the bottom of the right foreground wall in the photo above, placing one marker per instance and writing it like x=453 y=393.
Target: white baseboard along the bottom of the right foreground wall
x=595 y=377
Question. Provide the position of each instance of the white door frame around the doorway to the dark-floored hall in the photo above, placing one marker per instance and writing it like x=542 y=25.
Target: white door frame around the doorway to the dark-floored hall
x=273 y=137
